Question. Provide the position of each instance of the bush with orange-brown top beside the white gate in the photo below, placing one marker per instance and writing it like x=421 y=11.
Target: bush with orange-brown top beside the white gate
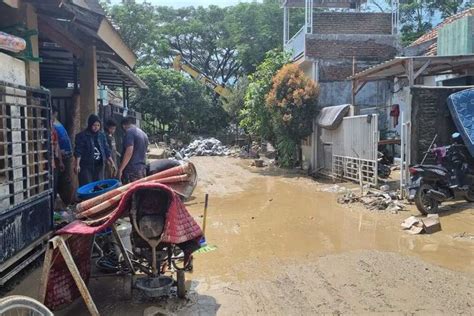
x=292 y=103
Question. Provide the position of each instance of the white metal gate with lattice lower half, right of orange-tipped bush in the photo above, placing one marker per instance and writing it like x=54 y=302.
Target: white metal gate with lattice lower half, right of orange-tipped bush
x=355 y=148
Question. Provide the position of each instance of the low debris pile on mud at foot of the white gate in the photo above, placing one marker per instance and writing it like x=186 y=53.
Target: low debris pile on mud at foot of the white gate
x=374 y=201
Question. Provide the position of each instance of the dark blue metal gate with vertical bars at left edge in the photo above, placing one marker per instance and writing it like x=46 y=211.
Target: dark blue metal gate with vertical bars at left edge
x=26 y=179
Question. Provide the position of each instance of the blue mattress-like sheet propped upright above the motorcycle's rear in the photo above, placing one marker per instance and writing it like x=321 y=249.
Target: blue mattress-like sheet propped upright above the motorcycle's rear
x=461 y=106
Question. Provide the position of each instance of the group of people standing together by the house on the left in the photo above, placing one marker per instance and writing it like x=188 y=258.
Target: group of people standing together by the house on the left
x=95 y=152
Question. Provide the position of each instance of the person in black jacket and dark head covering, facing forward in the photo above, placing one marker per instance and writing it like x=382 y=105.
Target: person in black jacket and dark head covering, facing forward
x=91 y=152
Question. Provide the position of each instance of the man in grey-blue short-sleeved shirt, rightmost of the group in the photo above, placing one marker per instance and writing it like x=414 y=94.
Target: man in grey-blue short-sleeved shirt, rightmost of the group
x=135 y=146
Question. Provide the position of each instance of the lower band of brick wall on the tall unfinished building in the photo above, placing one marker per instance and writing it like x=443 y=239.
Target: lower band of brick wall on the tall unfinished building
x=368 y=48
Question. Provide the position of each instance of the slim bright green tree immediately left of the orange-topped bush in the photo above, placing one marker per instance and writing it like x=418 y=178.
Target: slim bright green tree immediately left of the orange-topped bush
x=255 y=117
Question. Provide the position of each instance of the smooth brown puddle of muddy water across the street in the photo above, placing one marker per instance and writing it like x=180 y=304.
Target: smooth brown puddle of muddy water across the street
x=276 y=218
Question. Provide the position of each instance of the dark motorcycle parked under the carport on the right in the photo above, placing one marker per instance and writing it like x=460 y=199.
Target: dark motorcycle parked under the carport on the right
x=451 y=179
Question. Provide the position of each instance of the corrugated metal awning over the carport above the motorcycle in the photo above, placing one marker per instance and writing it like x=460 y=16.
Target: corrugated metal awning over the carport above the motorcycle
x=417 y=66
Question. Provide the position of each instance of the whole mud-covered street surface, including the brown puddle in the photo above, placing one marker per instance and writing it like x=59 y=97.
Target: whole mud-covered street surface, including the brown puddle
x=285 y=247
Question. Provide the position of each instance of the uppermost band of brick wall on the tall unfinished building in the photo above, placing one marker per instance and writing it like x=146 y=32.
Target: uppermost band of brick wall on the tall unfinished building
x=352 y=23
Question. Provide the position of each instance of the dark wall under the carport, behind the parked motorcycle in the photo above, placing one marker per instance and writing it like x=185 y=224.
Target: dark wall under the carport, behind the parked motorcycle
x=430 y=116
